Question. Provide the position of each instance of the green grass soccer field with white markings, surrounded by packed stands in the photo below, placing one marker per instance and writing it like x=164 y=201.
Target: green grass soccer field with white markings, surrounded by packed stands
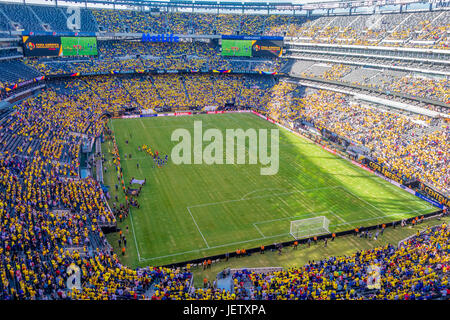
x=198 y=210
